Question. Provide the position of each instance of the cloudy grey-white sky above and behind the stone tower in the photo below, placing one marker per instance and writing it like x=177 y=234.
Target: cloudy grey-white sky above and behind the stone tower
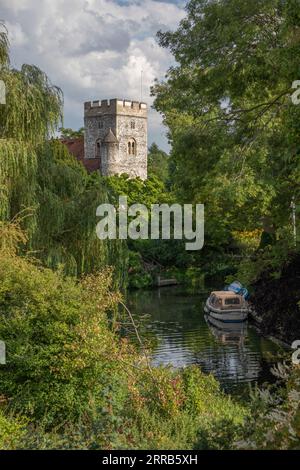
x=94 y=49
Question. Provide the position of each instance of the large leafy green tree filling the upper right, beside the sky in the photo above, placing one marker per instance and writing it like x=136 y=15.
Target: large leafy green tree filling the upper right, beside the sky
x=233 y=127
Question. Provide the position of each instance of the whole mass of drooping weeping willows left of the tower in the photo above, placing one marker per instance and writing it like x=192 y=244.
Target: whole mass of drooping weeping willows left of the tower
x=42 y=181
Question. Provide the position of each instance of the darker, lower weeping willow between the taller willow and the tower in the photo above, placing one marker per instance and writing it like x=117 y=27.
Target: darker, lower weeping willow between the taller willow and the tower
x=68 y=197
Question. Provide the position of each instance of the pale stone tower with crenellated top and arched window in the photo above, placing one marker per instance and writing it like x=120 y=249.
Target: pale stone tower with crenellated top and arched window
x=116 y=135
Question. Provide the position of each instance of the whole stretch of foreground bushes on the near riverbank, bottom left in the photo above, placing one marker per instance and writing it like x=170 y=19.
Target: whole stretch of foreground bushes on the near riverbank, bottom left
x=74 y=383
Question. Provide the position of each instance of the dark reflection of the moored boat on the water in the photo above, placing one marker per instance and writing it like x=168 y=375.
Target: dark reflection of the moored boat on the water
x=227 y=333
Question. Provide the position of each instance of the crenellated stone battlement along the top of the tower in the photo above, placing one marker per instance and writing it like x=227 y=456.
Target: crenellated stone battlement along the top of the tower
x=113 y=106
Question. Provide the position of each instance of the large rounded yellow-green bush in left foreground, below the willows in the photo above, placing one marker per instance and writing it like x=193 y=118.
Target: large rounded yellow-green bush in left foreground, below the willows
x=56 y=339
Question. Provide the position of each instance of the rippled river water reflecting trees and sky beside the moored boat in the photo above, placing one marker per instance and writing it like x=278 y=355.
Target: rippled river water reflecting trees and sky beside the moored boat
x=181 y=334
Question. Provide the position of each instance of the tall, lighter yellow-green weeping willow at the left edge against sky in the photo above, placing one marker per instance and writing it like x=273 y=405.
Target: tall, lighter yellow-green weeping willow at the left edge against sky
x=33 y=110
